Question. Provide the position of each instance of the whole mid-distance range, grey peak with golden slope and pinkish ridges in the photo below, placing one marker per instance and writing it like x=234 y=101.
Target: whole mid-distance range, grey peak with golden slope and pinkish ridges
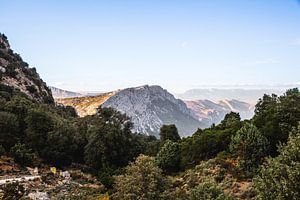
x=152 y=106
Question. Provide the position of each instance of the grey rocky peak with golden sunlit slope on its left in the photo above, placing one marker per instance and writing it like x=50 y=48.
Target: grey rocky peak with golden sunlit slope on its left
x=148 y=106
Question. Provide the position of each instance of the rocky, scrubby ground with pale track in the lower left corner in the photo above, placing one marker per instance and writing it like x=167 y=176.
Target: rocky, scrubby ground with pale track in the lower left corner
x=49 y=183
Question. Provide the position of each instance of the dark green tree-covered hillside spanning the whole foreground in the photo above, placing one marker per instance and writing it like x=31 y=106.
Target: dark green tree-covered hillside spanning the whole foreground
x=250 y=159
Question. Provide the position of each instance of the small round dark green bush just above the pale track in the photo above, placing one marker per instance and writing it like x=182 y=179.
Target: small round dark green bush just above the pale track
x=22 y=155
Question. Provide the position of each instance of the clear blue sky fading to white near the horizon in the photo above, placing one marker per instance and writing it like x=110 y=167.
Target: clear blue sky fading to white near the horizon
x=104 y=45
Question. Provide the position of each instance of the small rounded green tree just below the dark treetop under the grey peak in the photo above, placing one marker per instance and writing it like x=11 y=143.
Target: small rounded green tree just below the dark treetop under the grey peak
x=168 y=157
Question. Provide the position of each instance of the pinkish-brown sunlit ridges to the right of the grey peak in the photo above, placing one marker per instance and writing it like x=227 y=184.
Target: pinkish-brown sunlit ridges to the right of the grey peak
x=213 y=112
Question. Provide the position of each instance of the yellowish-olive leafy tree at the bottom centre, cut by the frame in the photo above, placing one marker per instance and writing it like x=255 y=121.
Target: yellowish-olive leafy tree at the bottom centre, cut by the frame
x=143 y=180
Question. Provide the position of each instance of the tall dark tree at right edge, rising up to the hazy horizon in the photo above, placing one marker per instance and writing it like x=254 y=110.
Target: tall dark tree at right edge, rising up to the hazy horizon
x=276 y=116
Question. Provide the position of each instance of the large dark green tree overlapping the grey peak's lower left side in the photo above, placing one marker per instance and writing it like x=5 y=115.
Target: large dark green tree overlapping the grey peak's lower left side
x=109 y=140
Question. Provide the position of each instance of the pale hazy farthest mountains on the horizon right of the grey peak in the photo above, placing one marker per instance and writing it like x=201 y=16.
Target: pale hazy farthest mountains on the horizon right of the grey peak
x=216 y=94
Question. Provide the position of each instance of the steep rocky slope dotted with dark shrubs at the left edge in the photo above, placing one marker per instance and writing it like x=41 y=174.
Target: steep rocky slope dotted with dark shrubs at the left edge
x=16 y=74
